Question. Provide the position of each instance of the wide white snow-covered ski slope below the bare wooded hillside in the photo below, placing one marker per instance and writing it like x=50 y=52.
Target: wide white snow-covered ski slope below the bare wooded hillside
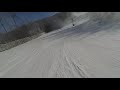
x=88 y=50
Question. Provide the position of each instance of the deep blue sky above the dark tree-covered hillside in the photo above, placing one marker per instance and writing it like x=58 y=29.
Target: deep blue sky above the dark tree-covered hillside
x=24 y=17
